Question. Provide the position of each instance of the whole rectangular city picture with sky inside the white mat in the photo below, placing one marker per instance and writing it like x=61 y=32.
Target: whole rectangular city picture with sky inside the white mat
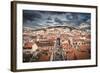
x=67 y=36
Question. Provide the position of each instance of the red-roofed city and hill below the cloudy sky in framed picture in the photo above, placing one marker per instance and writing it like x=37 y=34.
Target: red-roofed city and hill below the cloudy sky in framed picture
x=57 y=43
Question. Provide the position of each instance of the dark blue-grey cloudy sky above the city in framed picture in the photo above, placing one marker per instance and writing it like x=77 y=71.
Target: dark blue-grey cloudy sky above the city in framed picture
x=32 y=18
